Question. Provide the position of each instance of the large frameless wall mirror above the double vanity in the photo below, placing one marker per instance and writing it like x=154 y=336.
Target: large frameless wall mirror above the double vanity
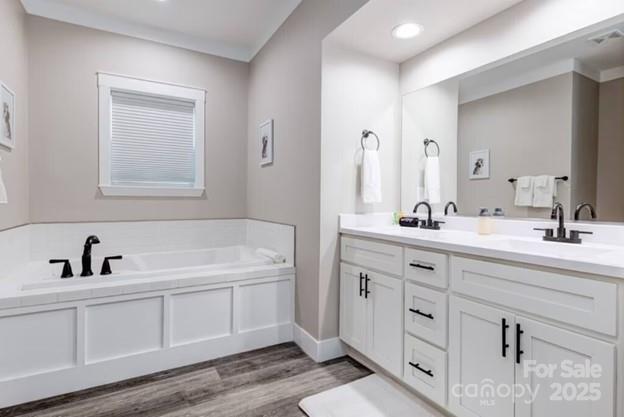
x=544 y=128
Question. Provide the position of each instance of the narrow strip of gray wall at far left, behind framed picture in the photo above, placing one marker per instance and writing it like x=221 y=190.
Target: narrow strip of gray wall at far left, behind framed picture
x=14 y=73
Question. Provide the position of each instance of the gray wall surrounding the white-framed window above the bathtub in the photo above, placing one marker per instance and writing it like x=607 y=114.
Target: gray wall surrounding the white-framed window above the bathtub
x=64 y=60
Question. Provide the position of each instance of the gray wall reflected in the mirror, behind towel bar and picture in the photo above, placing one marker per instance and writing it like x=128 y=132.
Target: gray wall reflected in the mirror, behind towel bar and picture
x=528 y=131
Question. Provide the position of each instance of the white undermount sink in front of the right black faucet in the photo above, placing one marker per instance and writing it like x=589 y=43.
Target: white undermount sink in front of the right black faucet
x=563 y=250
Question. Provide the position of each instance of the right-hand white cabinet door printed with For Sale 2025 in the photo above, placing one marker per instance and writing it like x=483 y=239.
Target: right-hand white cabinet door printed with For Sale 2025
x=549 y=355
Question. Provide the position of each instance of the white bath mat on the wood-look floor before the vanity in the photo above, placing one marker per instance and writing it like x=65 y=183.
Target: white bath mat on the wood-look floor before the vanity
x=371 y=396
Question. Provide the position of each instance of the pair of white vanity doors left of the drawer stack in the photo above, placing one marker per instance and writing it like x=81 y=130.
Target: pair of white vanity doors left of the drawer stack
x=370 y=315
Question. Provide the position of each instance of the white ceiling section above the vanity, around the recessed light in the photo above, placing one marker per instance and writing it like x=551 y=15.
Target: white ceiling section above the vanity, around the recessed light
x=369 y=30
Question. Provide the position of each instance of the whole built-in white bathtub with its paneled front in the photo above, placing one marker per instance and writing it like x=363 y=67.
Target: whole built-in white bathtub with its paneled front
x=157 y=311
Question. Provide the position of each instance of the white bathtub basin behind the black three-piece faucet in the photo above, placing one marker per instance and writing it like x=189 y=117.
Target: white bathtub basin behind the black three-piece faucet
x=42 y=275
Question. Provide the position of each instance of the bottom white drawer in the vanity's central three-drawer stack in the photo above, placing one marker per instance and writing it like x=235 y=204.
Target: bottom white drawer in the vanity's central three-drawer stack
x=425 y=369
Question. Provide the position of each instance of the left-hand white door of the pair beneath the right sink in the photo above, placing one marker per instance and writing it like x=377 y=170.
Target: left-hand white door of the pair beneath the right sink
x=481 y=348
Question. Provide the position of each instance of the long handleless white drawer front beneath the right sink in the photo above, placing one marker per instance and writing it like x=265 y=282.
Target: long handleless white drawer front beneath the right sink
x=583 y=302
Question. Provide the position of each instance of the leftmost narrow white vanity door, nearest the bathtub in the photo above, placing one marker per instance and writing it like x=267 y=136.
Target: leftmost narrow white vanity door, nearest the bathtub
x=352 y=307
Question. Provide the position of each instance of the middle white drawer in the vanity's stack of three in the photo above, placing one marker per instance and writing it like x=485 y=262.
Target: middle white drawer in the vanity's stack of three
x=426 y=314
